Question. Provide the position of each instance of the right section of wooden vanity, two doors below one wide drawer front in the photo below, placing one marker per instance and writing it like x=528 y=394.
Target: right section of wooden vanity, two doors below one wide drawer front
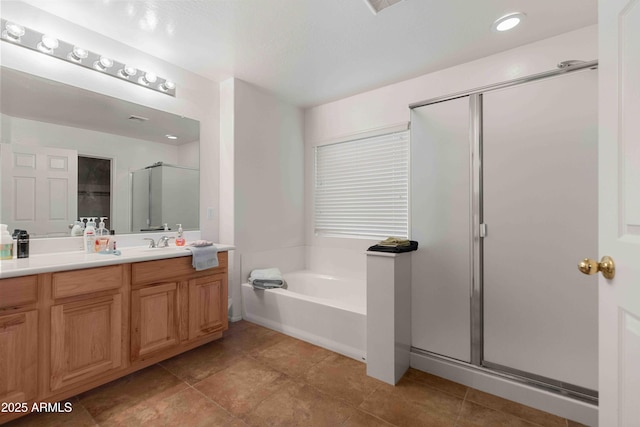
x=173 y=306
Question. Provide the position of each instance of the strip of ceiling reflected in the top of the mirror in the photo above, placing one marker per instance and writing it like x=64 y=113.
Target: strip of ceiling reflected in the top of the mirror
x=30 y=97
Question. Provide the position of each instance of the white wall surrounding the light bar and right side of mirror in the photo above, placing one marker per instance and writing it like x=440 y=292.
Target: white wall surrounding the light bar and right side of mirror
x=196 y=97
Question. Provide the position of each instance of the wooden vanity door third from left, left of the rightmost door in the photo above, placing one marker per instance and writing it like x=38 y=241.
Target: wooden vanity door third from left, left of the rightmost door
x=154 y=319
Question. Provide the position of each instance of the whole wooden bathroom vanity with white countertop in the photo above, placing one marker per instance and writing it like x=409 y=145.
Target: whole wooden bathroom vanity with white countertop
x=99 y=318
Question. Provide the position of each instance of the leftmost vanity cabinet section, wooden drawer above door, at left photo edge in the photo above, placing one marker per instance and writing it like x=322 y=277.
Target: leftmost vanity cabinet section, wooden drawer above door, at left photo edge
x=18 y=340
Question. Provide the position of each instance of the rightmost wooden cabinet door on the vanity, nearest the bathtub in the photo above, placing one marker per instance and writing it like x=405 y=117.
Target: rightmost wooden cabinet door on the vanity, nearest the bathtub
x=207 y=305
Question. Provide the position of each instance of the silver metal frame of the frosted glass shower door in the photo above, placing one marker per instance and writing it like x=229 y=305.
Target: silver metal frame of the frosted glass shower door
x=479 y=231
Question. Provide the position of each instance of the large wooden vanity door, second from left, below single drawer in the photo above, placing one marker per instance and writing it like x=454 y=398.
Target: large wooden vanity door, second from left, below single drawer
x=85 y=339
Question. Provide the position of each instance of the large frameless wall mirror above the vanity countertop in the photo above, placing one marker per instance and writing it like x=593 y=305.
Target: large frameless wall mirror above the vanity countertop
x=67 y=153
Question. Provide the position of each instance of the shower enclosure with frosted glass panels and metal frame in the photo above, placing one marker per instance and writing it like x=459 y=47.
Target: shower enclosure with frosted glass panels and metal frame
x=504 y=205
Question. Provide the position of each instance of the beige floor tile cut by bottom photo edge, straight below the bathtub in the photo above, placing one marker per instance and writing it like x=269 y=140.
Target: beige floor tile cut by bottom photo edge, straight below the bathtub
x=299 y=404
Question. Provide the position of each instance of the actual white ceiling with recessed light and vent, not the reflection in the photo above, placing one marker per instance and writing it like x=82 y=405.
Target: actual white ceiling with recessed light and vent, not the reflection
x=314 y=51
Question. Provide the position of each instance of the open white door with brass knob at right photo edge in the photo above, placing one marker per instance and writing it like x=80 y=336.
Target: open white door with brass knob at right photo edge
x=619 y=211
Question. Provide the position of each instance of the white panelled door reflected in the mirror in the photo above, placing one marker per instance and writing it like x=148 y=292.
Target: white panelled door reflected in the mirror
x=39 y=189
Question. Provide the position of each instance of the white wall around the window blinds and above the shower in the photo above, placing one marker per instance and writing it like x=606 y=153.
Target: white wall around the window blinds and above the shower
x=388 y=106
